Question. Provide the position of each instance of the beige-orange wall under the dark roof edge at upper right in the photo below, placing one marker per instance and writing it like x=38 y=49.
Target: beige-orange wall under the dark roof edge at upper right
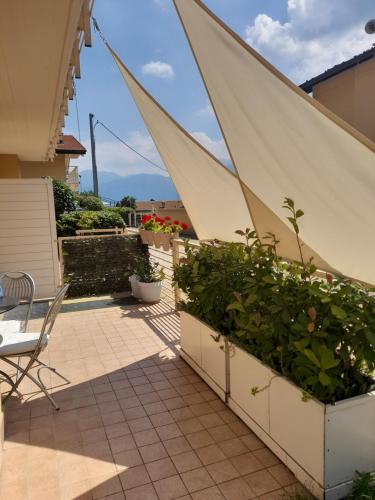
x=351 y=95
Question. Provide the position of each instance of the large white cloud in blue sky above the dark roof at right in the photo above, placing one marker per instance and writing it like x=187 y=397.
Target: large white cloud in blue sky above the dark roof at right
x=317 y=35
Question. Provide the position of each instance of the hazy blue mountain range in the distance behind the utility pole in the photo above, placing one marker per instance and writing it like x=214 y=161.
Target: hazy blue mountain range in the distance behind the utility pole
x=141 y=186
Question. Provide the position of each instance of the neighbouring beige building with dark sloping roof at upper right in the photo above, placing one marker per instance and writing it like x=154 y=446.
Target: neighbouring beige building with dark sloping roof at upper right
x=348 y=89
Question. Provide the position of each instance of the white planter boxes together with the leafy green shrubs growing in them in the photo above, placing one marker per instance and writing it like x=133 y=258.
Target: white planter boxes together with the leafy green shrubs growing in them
x=299 y=353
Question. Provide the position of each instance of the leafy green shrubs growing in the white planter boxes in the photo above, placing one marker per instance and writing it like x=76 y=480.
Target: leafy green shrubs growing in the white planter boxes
x=317 y=331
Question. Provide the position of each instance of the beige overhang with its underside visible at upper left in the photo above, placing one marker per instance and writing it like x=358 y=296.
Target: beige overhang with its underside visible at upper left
x=40 y=43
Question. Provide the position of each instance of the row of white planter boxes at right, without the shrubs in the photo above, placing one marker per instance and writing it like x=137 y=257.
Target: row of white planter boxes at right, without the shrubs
x=323 y=445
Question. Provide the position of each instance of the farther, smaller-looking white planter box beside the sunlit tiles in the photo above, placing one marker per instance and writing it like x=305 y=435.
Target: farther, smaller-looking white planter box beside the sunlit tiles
x=206 y=355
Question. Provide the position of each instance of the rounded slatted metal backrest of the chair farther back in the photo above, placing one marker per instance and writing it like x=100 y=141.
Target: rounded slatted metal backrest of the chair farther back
x=21 y=286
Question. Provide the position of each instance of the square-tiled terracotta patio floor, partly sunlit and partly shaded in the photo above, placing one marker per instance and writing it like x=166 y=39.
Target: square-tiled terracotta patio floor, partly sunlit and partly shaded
x=136 y=422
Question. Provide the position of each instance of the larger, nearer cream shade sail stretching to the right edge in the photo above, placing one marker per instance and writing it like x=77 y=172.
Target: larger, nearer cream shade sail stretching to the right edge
x=283 y=143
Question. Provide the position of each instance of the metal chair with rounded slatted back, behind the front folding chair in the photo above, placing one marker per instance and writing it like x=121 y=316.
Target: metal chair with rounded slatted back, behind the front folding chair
x=21 y=286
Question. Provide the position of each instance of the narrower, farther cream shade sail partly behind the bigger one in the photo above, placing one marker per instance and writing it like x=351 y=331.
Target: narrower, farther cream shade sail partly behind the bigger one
x=211 y=194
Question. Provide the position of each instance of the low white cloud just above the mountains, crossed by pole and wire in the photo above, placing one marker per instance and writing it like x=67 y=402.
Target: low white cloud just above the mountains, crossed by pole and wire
x=113 y=156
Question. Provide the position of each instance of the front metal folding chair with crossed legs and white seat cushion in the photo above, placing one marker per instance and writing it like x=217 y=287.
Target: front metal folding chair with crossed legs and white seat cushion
x=29 y=345
